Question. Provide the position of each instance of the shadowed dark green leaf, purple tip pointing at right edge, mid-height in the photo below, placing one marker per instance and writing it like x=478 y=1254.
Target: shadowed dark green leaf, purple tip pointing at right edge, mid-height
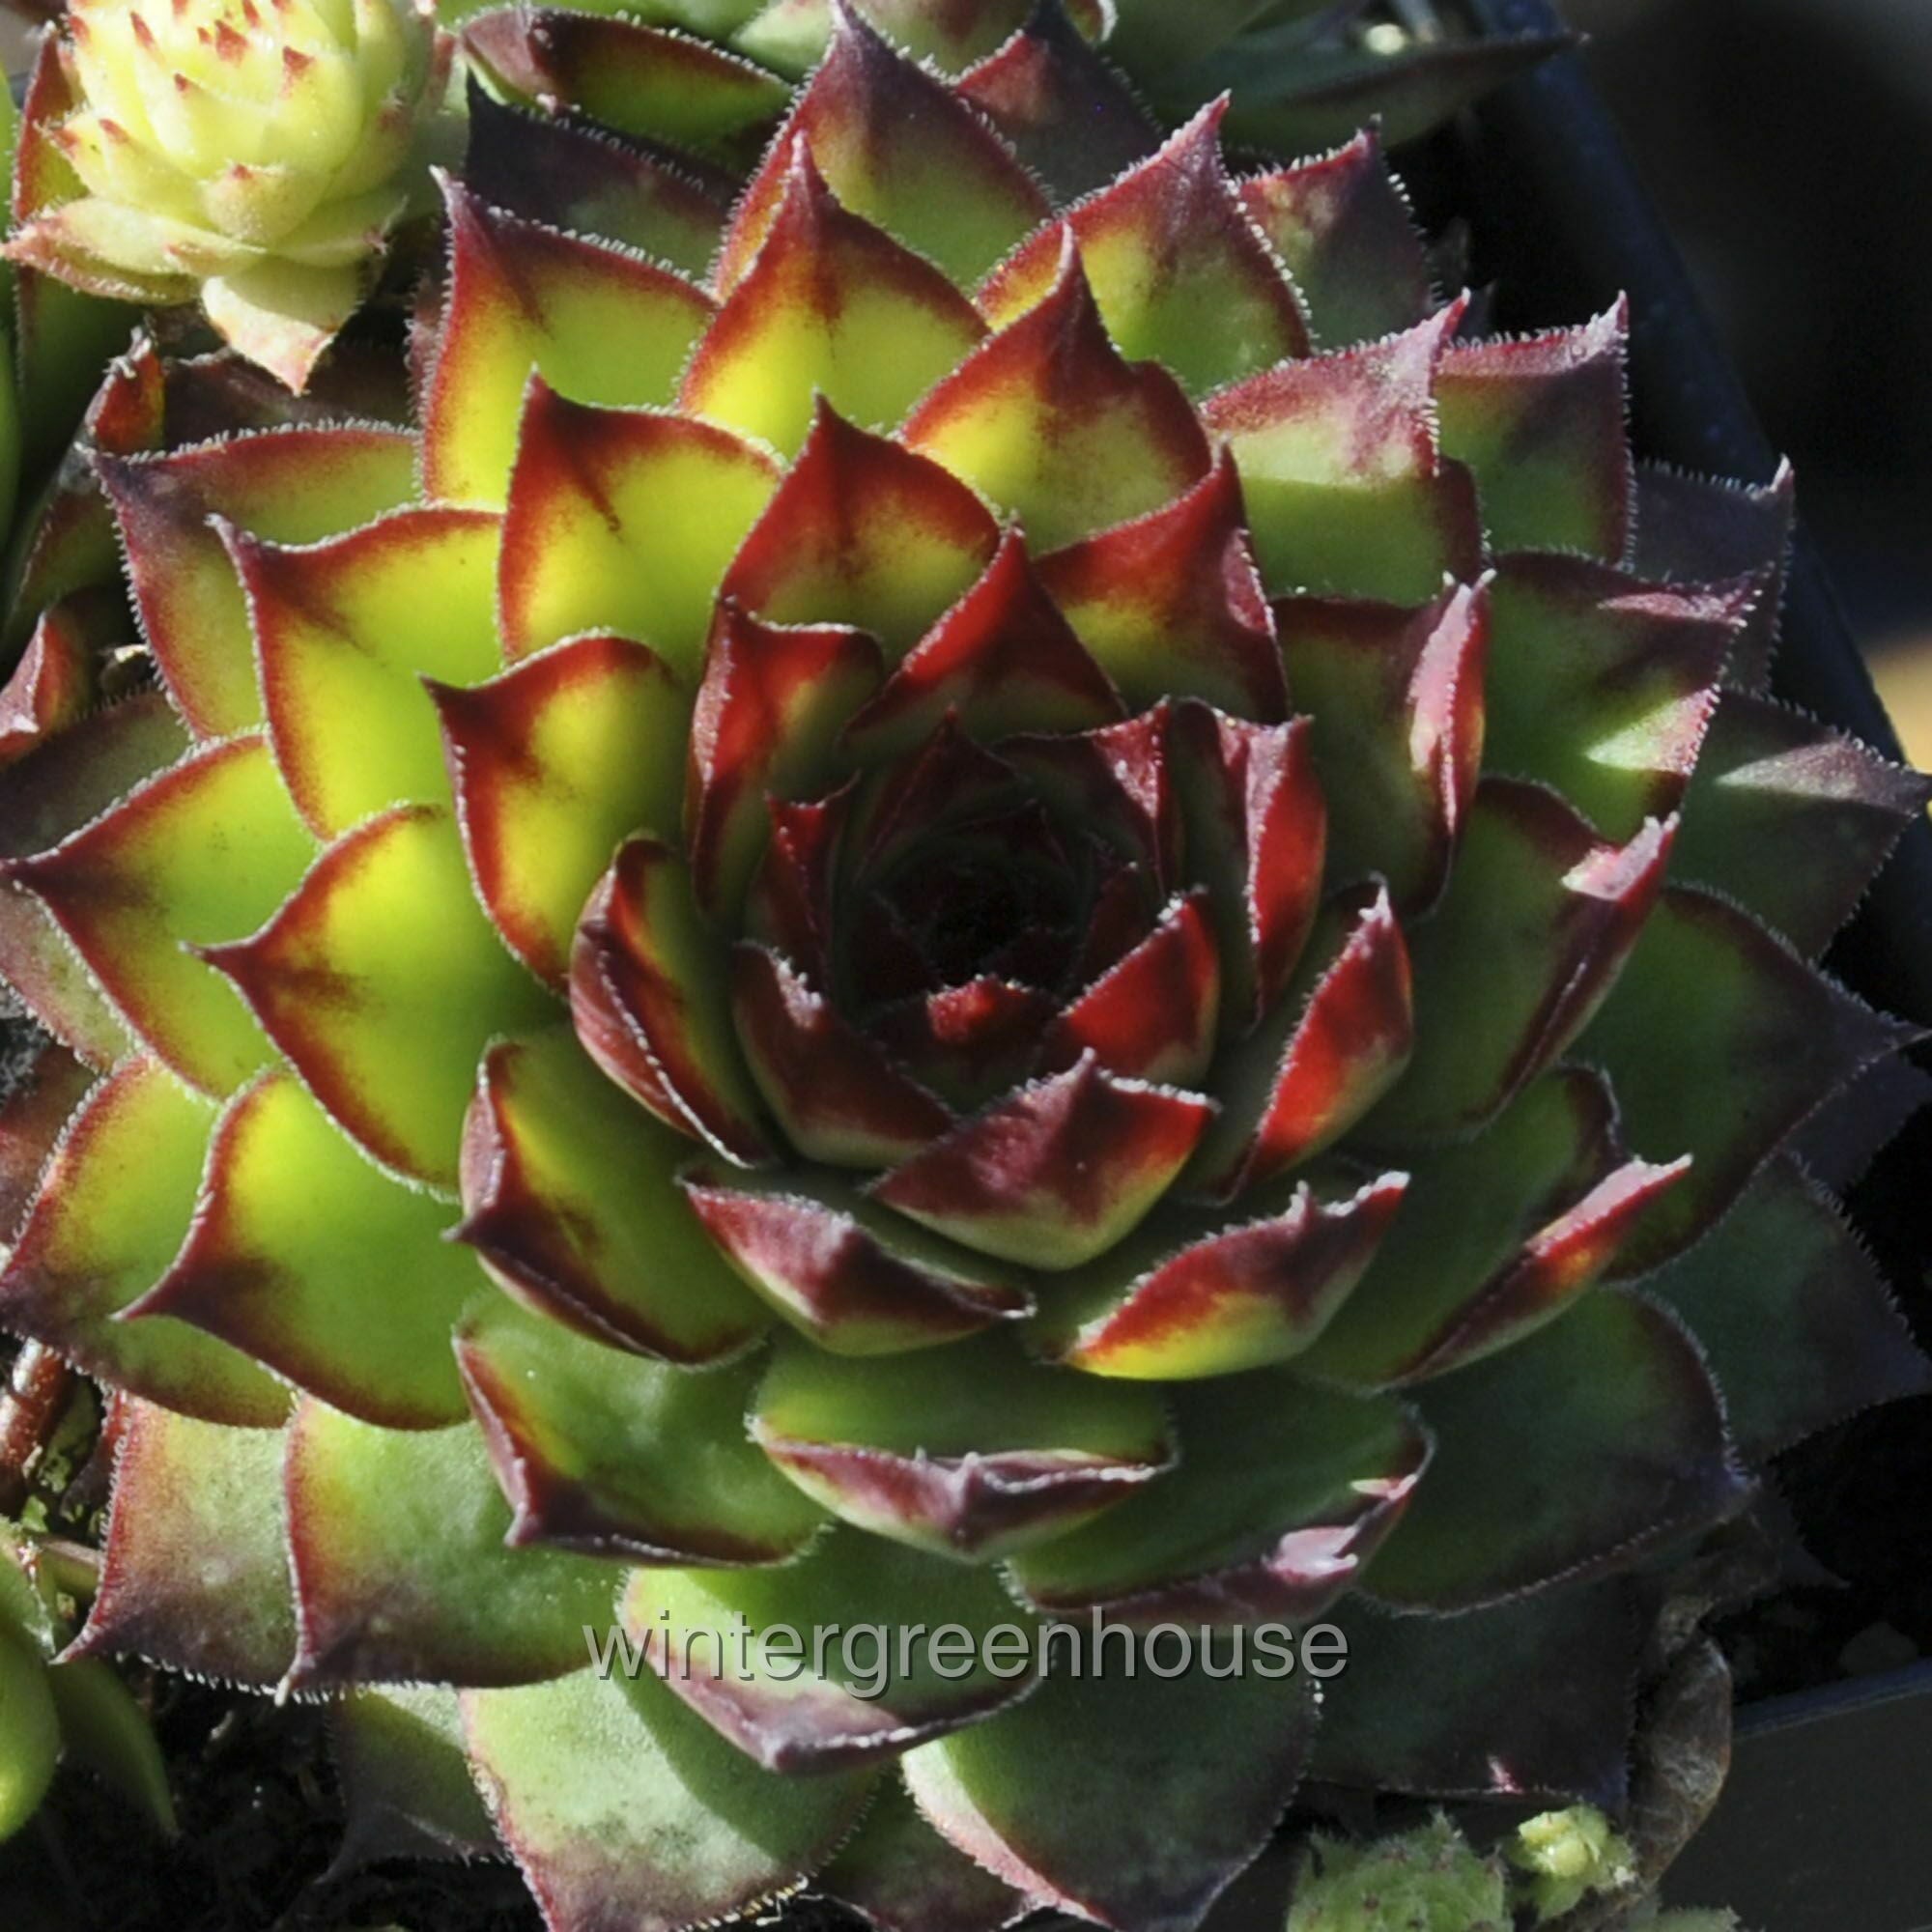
x=1719 y=1044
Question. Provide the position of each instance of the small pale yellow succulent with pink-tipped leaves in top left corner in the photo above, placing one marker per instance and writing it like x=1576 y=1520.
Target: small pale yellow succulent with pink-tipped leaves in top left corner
x=250 y=157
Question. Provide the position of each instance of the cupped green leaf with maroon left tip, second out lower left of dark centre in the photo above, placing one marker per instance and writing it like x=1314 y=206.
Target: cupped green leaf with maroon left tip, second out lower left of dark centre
x=571 y=1203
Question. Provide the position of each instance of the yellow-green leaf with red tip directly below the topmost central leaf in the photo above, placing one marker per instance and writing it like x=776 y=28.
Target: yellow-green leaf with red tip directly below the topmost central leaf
x=841 y=310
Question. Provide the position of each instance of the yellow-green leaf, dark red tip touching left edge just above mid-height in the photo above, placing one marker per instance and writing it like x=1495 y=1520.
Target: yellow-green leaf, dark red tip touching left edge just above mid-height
x=196 y=855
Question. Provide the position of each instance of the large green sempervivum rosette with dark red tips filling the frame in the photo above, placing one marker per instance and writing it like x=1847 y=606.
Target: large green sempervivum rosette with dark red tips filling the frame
x=1000 y=938
